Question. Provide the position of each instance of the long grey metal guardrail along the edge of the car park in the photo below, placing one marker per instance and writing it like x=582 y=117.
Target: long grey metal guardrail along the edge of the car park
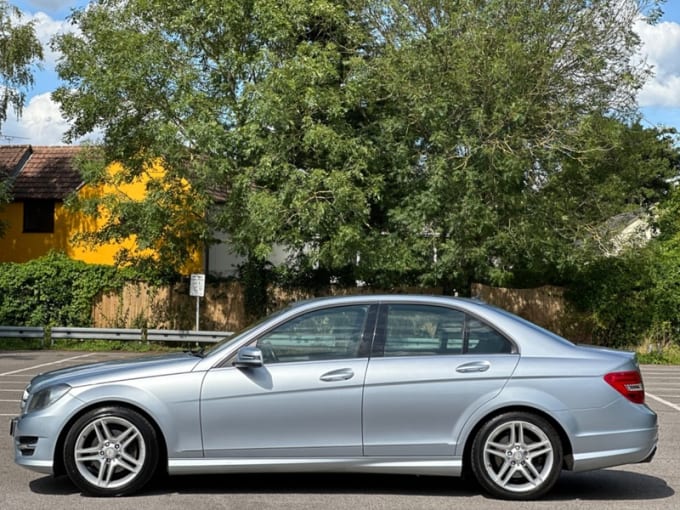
x=143 y=335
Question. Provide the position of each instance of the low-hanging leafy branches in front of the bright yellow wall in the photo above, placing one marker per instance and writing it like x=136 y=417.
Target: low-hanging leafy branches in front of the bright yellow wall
x=165 y=227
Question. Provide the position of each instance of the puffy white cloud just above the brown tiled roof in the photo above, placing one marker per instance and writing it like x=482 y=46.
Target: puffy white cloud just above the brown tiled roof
x=40 y=124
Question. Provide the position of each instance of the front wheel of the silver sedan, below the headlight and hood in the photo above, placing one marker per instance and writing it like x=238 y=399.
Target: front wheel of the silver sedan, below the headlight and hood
x=111 y=451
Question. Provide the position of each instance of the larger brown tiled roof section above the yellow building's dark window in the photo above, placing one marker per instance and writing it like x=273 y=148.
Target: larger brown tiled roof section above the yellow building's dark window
x=47 y=174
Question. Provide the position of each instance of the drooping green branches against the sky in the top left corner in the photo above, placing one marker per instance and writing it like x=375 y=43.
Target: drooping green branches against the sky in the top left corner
x=20 y=50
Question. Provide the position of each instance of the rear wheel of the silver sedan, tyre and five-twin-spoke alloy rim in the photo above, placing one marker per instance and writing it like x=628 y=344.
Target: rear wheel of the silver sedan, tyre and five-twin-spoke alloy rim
x=517 y=456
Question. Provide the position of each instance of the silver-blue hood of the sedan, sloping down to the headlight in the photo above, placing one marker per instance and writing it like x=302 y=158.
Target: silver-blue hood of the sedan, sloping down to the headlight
x=119 y=370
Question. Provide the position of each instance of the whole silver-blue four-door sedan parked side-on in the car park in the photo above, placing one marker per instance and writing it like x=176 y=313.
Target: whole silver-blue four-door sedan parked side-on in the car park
x=388 y=384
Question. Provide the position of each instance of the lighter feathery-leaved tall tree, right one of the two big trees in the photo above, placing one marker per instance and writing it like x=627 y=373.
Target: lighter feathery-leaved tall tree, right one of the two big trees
x=494 y=100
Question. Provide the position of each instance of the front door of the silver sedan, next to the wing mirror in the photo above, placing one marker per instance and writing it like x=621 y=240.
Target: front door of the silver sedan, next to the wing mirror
x=305 y=401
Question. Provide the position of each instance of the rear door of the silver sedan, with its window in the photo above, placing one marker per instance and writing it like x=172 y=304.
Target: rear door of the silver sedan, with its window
x=432 y=367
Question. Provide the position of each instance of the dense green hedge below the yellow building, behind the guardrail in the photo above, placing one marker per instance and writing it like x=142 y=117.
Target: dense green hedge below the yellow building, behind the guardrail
x=53 y=291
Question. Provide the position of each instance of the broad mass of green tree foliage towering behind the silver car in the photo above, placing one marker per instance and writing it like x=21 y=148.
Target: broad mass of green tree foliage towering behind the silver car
x=411 y=141
